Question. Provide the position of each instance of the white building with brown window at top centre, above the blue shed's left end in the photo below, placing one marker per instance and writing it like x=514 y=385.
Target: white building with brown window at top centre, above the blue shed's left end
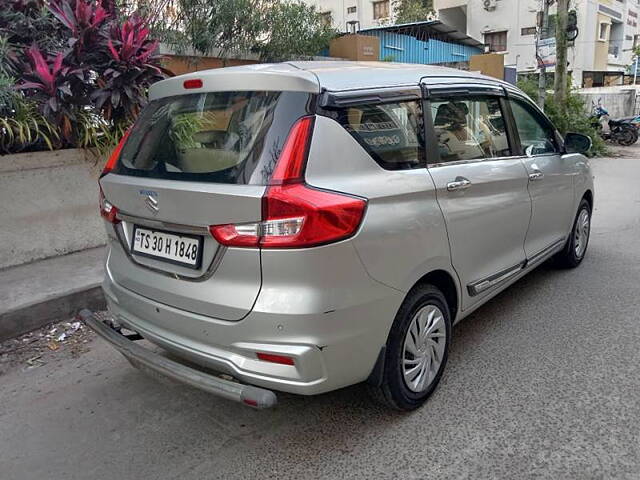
x=359 y=14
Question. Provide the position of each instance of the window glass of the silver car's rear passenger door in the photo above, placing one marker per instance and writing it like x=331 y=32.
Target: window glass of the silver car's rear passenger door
x=469 y=128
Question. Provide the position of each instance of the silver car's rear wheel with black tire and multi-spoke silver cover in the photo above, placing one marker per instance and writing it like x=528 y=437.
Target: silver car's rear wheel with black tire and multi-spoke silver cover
x=404 y=394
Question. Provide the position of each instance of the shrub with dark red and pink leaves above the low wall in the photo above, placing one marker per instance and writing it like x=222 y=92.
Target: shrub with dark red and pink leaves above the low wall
x=72 y=73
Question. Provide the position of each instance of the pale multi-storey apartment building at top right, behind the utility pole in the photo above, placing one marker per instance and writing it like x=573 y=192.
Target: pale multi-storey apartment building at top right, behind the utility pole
x=608 y=31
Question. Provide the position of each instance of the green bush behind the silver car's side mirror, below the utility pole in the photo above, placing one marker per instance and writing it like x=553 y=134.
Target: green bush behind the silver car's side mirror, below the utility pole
x=576 y=118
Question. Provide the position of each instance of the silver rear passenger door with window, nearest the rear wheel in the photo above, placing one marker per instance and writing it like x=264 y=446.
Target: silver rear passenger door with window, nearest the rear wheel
x=480 y=186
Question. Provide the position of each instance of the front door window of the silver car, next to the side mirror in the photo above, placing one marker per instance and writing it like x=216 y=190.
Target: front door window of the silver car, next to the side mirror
x=537 y=136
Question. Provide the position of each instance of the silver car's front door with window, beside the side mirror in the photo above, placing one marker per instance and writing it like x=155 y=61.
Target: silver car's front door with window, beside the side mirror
x=550 y=179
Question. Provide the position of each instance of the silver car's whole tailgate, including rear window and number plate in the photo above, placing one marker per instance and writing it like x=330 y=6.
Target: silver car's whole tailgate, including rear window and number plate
x=190 y=162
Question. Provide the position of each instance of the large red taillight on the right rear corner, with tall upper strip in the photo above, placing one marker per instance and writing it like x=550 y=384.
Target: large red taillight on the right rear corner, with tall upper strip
x=295 y=215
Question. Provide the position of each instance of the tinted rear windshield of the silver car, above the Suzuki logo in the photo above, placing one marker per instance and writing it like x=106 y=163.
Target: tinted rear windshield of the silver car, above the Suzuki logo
x=221 y=137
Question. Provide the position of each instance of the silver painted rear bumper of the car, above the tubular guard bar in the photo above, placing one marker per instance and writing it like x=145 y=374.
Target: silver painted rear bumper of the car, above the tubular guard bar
x=331 y=348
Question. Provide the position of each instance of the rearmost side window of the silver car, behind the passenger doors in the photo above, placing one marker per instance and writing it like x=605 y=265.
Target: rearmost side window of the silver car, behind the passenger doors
x=392 y=133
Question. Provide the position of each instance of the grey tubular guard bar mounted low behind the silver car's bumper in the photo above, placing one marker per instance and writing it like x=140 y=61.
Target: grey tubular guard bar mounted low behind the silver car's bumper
x=150 y=361
